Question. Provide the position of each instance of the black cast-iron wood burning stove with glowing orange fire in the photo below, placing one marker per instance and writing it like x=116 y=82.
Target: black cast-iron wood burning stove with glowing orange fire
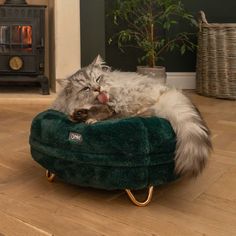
x=22 y=43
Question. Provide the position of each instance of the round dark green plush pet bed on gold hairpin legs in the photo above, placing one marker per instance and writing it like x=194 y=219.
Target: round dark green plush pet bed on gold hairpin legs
x=131 y=153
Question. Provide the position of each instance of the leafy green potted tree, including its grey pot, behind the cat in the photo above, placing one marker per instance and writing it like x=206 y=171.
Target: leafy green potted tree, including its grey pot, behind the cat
x=148 y=25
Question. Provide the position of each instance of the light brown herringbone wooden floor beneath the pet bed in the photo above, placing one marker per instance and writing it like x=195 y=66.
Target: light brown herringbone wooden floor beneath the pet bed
x=29 y=205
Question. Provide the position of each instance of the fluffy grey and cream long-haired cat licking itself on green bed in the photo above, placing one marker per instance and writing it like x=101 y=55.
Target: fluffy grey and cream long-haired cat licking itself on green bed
x=131 y=94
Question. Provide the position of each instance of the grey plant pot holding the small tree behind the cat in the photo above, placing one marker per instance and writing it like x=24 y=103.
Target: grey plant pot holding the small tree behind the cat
x=157 y=72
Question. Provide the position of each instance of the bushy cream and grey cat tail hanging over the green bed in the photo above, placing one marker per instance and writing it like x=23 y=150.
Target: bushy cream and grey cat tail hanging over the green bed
x=193 y=136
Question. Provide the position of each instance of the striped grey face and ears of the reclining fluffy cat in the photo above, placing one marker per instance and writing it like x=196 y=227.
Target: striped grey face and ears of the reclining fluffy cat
x=83 y=88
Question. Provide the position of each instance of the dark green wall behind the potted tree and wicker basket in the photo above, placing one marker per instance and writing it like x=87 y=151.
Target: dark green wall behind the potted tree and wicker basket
x=96 y=29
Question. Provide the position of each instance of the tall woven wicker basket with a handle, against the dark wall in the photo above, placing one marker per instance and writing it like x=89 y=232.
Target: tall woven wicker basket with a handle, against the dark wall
x=216 y=59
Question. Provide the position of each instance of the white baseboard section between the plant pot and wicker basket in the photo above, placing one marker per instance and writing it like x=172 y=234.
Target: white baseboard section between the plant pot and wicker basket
x=182 y=80
